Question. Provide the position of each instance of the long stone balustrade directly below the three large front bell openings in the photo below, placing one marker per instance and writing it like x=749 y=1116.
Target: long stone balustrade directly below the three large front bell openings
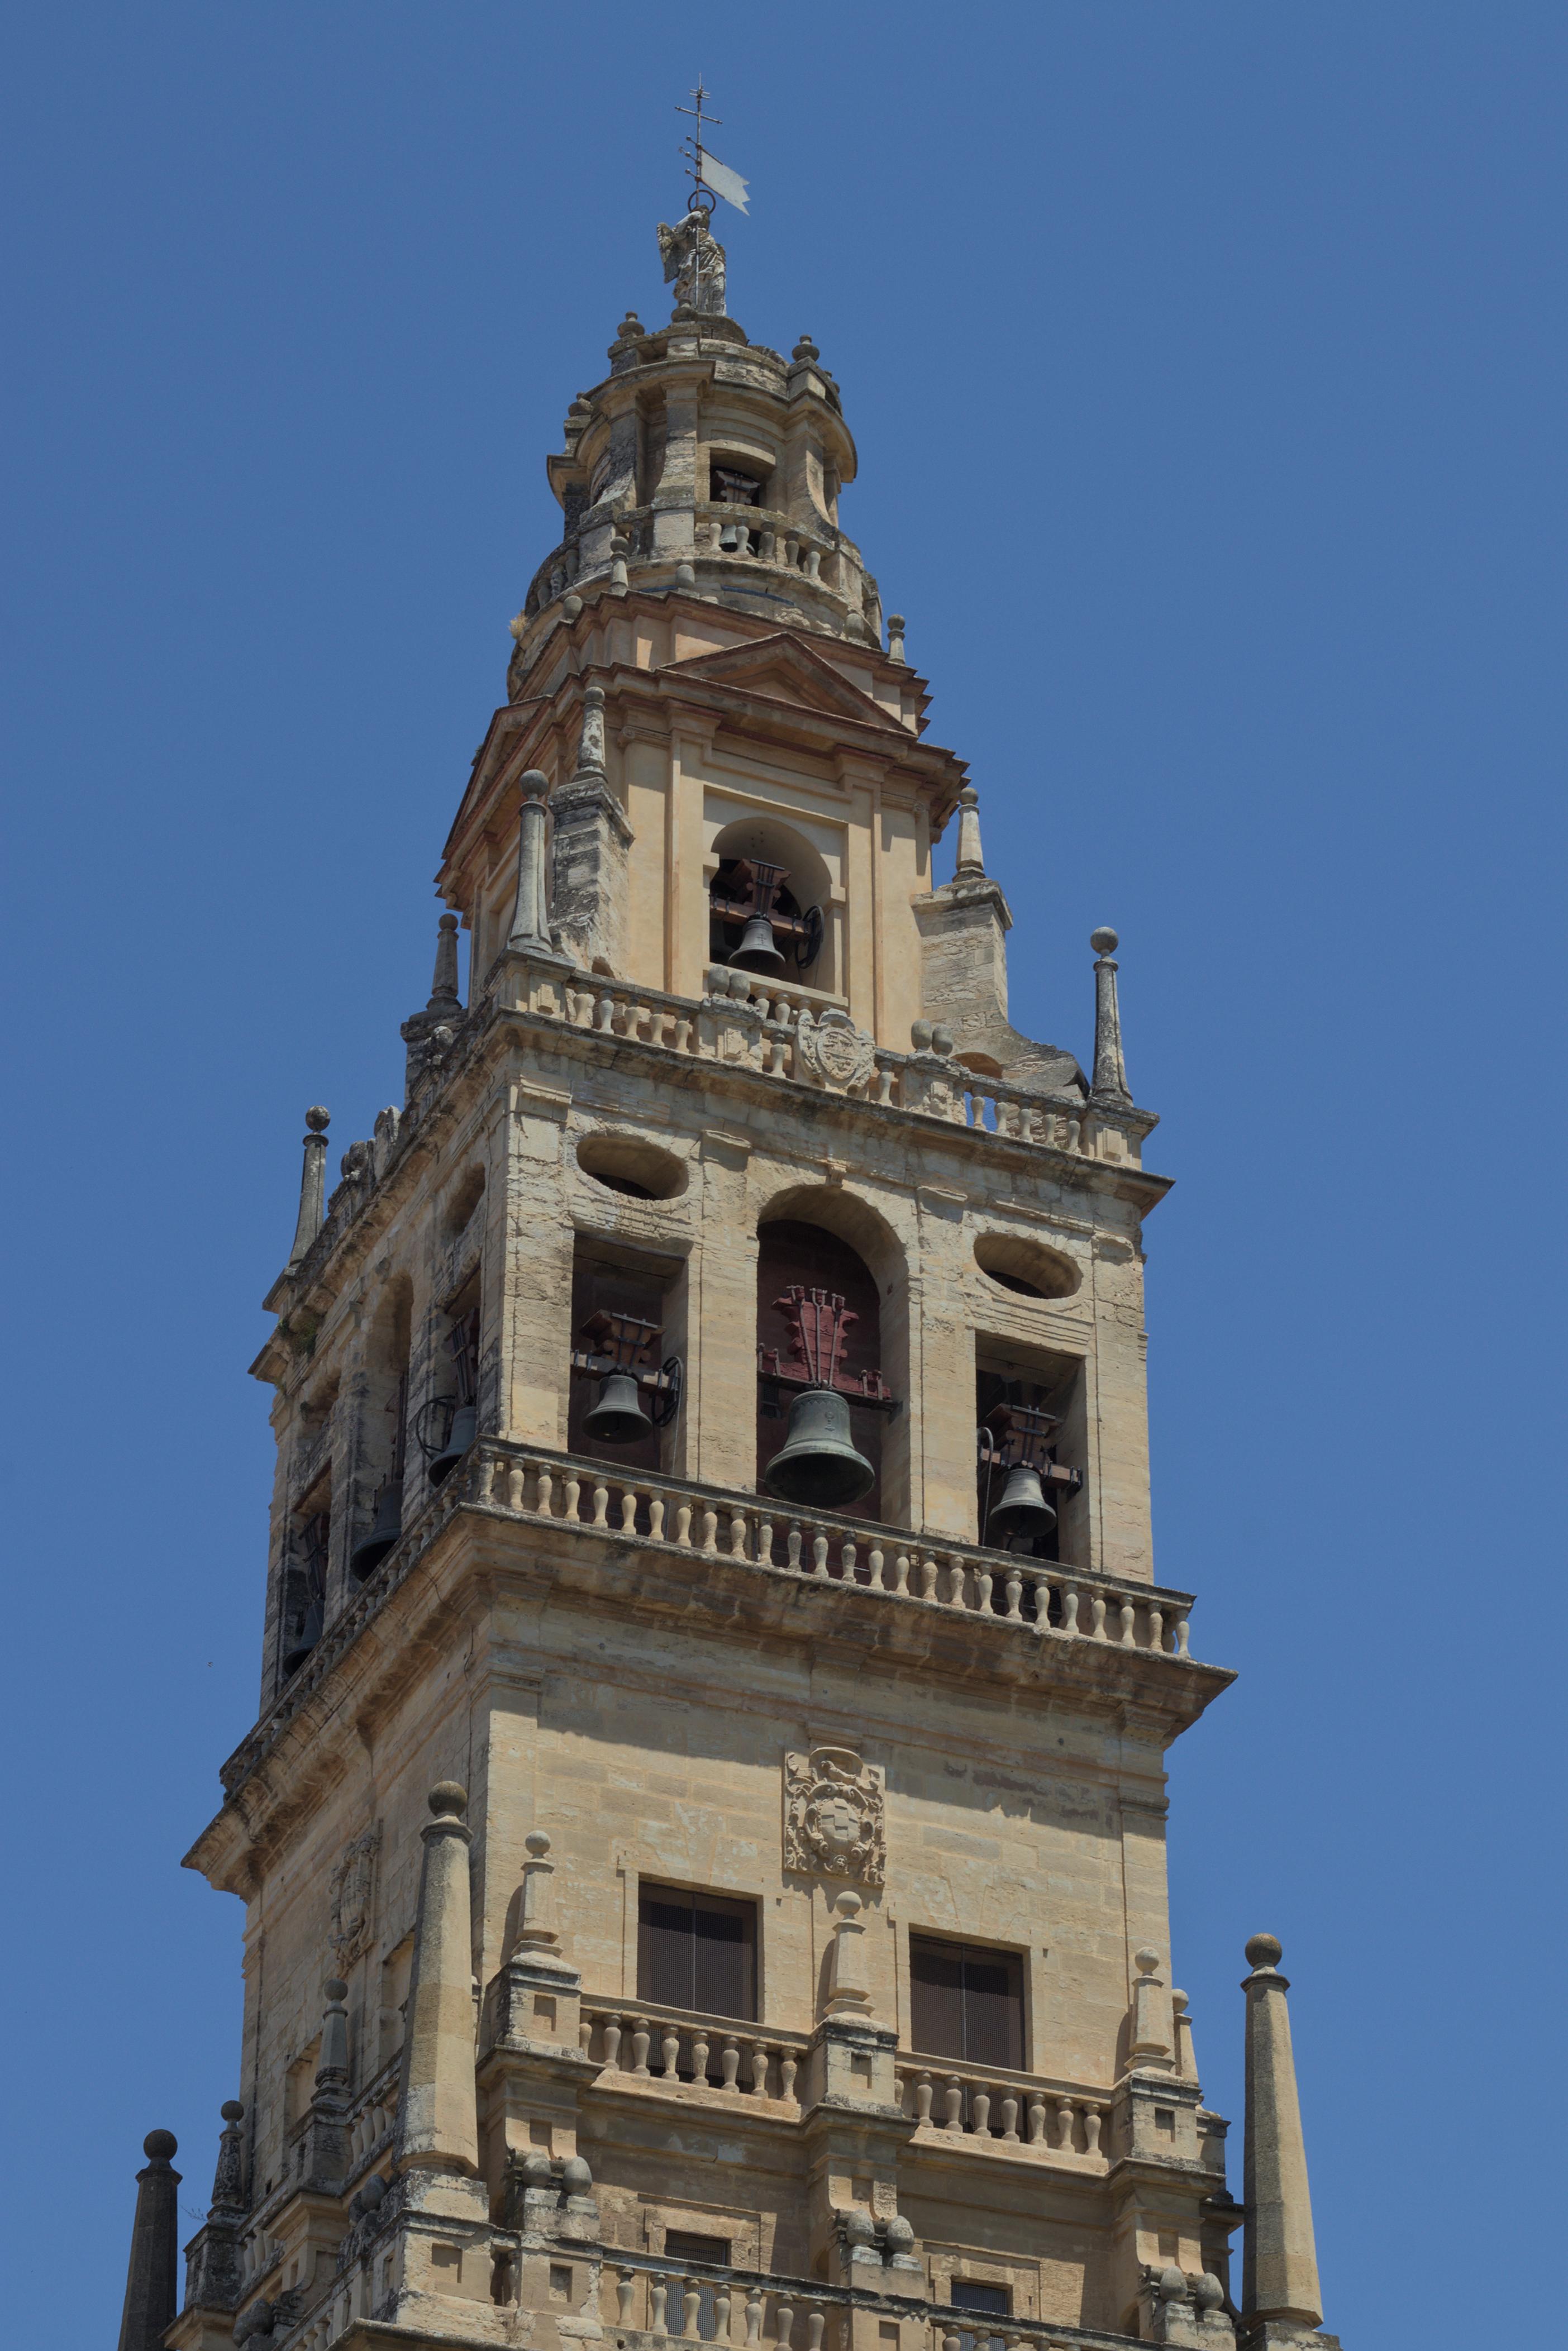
x=1031 y=1595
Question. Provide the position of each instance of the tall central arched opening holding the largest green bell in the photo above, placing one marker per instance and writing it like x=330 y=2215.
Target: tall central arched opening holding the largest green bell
x=824 y=1400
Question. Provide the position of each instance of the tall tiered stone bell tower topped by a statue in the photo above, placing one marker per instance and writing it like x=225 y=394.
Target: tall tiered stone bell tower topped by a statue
x=704 y=1826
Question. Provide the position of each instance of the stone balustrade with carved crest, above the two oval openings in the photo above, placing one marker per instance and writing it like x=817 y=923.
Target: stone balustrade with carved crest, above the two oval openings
x=763 y=1026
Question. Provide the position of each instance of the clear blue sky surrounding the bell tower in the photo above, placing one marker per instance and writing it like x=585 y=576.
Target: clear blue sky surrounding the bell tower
x=1207 y=370
